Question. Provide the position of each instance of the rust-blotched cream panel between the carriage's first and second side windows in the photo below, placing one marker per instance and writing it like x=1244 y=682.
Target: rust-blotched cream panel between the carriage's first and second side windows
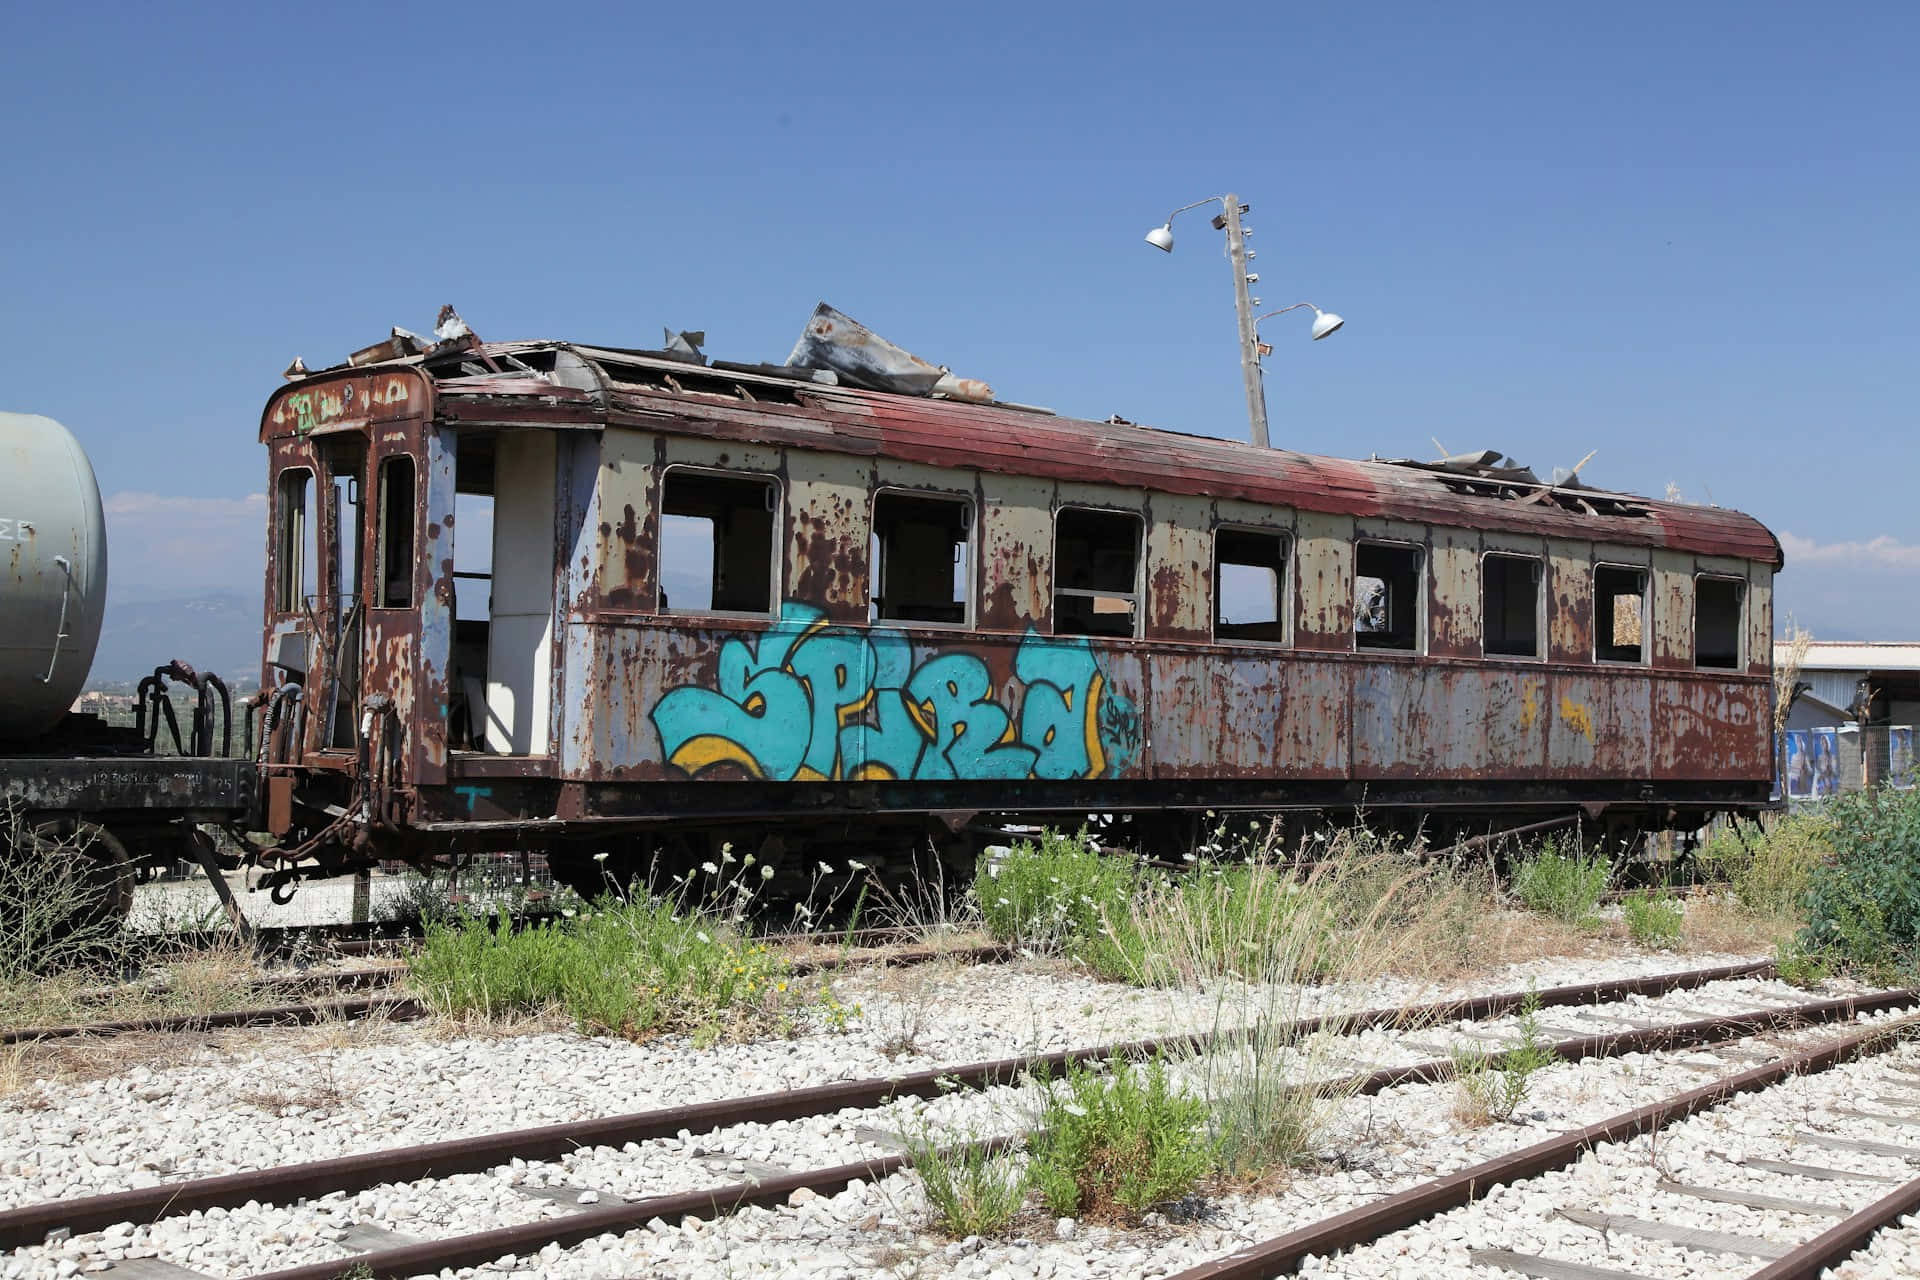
x=830 y=525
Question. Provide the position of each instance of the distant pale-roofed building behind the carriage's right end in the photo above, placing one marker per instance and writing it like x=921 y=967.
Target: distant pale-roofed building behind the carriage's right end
x=1852 y=719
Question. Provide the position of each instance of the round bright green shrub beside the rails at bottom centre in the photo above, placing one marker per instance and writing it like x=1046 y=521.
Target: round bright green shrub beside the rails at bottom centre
x=1113 y=1147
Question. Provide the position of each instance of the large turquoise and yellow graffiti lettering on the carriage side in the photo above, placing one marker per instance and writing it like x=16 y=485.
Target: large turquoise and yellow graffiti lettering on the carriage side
x=813 y=701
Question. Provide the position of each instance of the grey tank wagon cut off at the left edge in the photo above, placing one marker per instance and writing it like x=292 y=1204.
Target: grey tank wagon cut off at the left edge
x=74 y=778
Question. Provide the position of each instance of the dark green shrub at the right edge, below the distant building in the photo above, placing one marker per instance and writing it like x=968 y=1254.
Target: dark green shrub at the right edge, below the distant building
x=1863 y=907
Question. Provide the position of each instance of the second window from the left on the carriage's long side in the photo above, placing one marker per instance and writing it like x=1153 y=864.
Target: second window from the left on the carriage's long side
x=921 y=557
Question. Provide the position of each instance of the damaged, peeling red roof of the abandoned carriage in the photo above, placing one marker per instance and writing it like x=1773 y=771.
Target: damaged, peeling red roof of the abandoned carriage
x=569 y=385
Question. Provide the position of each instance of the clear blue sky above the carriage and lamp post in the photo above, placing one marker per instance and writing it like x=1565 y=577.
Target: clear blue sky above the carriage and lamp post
x=1677 y=235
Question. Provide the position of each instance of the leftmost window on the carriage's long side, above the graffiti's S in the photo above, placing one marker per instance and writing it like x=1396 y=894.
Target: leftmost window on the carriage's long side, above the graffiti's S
x=717 y=542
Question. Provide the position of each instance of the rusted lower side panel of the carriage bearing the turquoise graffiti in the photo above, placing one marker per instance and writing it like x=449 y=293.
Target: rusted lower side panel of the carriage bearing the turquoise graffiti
x=807 y=701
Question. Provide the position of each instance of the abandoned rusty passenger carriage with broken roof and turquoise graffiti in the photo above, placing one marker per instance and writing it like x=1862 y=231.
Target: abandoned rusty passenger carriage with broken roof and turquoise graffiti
x=546 y=594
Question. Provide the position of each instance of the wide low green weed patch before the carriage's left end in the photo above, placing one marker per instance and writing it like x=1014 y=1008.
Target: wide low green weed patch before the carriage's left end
x=631 y=970
